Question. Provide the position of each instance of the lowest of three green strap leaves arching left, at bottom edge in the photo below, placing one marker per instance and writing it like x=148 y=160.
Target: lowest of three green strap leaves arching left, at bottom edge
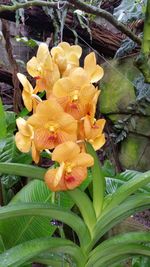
x=26 y=251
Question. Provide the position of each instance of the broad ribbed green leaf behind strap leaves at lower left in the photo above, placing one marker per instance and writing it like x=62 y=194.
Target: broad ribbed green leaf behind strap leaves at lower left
x=18 y=230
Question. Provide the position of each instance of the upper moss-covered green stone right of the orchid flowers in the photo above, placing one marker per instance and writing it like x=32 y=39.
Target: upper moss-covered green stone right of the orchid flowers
x=117 y=89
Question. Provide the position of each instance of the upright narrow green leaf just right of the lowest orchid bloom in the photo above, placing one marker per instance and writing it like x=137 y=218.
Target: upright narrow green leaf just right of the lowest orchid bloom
x=98 y=181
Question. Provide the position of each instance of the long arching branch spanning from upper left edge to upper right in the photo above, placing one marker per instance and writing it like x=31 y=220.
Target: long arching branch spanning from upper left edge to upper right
x=80 y=5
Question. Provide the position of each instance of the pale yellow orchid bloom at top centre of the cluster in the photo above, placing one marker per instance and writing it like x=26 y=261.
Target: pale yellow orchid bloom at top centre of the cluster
x=66 y=56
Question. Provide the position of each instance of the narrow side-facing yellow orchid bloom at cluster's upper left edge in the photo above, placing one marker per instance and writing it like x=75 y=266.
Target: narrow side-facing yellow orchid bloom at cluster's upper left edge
x=28 y=94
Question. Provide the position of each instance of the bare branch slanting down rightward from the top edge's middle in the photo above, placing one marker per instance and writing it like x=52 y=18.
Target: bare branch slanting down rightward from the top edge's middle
x=106 y=15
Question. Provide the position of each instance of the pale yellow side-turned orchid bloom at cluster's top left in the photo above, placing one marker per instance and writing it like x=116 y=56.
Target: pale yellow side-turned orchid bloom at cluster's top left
x=43 y=69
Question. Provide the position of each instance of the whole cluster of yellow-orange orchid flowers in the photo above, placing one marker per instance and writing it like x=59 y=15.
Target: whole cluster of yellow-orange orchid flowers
x=62 y=123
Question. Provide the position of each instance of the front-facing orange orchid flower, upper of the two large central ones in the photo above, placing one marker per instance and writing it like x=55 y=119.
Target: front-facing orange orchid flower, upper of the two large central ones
x=74 y=93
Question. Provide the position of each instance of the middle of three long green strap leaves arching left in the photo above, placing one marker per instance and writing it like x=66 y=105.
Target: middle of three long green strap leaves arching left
x=52 y=211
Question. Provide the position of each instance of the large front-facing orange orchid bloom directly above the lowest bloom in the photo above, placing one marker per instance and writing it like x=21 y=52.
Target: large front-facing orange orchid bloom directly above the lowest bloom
x=52 y=125
